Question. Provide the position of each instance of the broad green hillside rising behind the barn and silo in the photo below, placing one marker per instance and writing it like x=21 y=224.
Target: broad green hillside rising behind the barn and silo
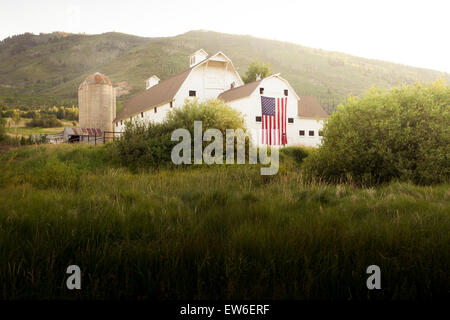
x=47 y=68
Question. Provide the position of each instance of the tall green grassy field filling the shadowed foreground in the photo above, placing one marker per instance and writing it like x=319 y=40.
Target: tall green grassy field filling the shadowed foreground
x=211 y=232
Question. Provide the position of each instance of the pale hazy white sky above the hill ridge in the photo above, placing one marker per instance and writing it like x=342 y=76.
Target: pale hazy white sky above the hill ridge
x=408 y=32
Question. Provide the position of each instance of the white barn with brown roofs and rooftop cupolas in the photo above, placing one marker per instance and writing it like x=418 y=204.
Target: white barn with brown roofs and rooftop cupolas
x=216 y=77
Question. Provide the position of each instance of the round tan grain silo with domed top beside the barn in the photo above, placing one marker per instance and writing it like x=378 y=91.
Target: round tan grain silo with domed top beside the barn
x=97 y=102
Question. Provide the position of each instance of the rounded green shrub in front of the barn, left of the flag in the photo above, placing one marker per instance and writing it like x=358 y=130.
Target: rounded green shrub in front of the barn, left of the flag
x=149 y=145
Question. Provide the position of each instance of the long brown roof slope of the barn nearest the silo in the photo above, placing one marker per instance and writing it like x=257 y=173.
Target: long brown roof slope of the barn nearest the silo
x=161 y=93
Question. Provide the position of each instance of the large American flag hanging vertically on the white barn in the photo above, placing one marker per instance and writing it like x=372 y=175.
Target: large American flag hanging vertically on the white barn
x=273 y=112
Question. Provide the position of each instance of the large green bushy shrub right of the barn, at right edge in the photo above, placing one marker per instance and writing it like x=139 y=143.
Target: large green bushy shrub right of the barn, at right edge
x=401 y=134
